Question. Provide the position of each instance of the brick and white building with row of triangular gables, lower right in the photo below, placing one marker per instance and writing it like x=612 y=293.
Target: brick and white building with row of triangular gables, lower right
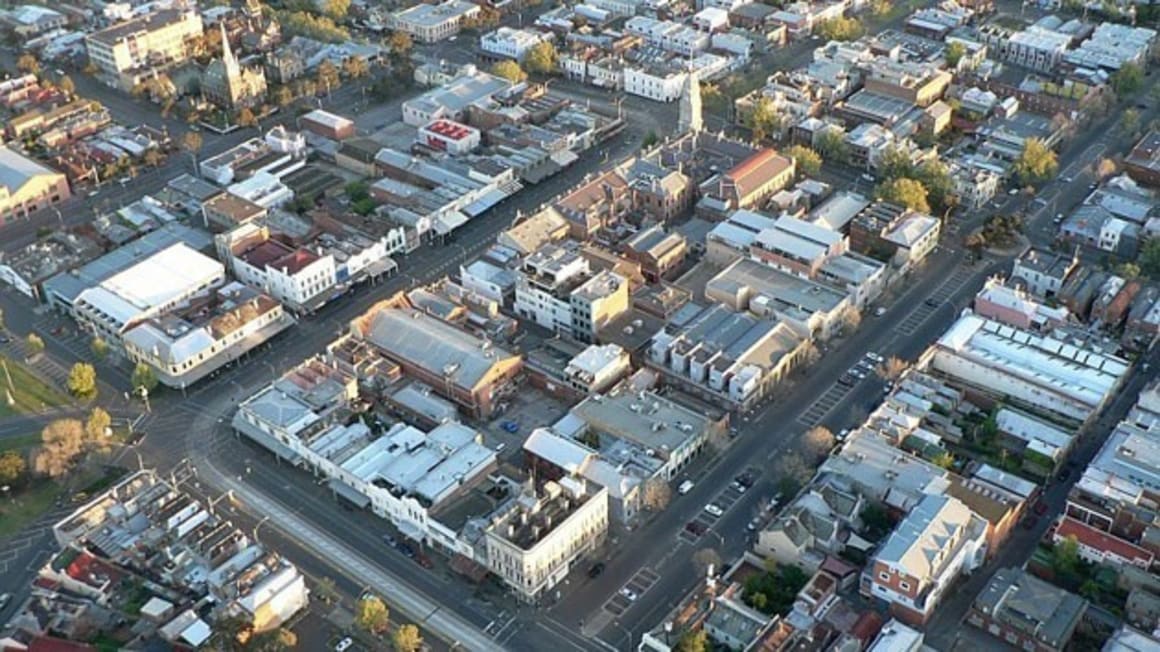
x=940 y=540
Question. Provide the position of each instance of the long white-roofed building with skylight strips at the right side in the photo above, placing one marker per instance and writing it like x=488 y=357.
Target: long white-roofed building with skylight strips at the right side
x=1038 y=372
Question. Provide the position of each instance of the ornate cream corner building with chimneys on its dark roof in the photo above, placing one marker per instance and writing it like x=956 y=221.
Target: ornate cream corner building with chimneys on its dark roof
x=534 y=544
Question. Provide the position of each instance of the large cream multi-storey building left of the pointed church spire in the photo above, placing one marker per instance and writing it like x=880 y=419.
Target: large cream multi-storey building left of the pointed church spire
x=129 y=52
